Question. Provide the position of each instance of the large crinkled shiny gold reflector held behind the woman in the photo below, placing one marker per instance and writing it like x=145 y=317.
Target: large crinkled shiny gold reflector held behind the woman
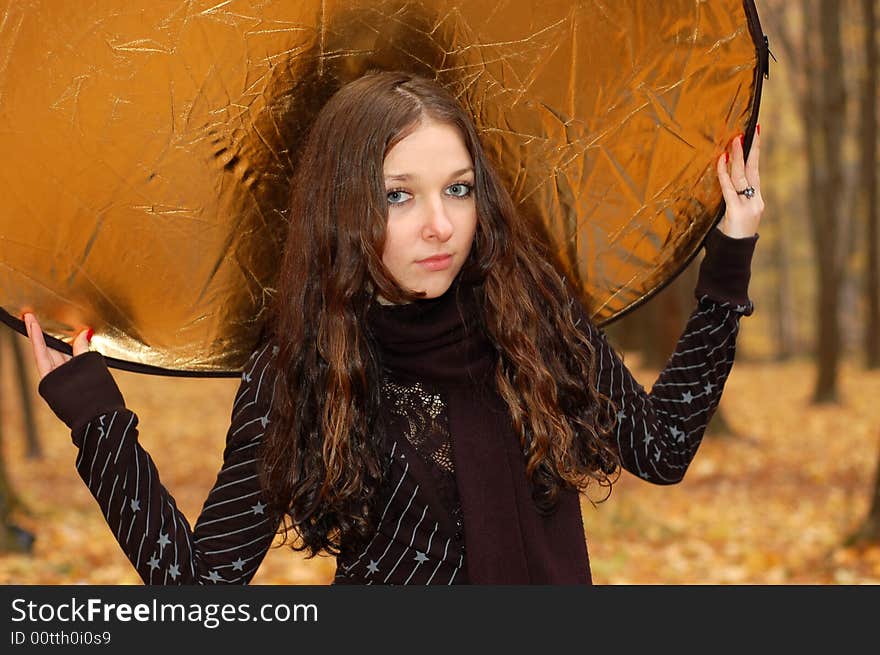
x=147 y=146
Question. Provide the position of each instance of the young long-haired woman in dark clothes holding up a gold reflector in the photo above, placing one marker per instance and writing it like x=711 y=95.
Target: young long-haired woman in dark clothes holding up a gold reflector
x=431 y=397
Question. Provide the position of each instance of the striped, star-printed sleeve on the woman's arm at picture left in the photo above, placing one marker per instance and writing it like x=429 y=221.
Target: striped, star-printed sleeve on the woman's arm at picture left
x=232 y=533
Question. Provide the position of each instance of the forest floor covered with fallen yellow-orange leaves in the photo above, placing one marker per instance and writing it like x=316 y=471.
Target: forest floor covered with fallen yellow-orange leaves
x=770 y=505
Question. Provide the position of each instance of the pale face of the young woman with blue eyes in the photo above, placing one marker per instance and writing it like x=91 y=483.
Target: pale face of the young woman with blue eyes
x=432 y=216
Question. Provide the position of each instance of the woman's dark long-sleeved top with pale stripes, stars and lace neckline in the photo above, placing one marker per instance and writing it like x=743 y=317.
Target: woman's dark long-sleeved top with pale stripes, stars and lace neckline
x=420 y=537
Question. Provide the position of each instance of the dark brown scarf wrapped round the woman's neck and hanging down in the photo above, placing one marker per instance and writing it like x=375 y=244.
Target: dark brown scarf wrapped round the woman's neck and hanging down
x=440 y=341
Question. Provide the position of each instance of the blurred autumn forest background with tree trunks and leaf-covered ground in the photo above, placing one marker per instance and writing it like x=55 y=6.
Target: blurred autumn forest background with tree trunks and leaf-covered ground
x=786 y=486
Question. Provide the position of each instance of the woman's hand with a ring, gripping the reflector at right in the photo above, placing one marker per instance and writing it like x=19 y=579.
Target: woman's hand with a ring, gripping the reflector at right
x=743 y=213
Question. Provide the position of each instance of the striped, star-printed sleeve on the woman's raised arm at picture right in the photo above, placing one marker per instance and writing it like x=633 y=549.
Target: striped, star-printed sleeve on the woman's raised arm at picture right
x=657 y=434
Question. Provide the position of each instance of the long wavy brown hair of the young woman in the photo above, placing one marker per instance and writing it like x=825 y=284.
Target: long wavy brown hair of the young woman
x=321 y=464
